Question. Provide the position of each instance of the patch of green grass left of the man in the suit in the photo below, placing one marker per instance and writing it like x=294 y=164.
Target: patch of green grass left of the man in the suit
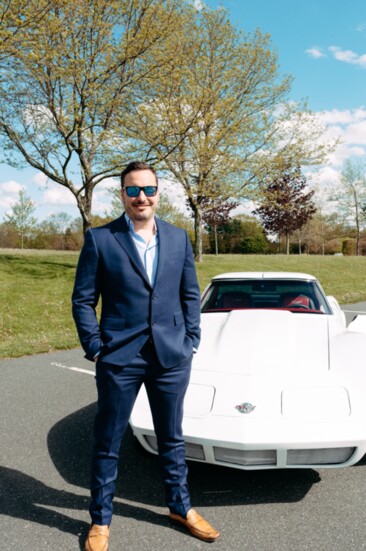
x=35 y=312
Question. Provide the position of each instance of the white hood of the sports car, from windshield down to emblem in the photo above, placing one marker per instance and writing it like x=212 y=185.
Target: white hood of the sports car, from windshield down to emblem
x=276 y=361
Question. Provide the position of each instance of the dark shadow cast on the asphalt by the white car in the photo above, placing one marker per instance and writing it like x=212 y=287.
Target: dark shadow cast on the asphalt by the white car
x=70 y=444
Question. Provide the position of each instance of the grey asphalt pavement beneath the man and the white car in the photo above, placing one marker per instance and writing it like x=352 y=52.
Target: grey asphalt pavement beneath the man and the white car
x=47 y=409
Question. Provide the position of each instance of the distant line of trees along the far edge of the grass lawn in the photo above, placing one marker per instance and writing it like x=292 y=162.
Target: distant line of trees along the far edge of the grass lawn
x=223 y=233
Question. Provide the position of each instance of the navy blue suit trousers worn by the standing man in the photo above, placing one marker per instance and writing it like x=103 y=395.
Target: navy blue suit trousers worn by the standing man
x=118 y=387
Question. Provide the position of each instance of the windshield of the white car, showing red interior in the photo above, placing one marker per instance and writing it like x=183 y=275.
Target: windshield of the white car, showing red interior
x=294 y=295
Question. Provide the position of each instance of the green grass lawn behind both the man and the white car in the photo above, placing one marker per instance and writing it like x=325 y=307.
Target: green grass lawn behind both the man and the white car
x=35 y=291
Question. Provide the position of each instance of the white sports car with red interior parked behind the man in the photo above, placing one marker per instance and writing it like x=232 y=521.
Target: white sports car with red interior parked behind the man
x=279 y=381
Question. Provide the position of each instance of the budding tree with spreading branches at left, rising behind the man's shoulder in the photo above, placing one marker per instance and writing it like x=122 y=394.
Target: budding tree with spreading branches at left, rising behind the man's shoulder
x=67 y=76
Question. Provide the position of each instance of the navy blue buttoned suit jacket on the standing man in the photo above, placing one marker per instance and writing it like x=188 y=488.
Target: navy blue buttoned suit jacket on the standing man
x=110 y=267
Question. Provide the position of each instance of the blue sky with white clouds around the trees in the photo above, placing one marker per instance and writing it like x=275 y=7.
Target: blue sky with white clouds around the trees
x=321 y=43
